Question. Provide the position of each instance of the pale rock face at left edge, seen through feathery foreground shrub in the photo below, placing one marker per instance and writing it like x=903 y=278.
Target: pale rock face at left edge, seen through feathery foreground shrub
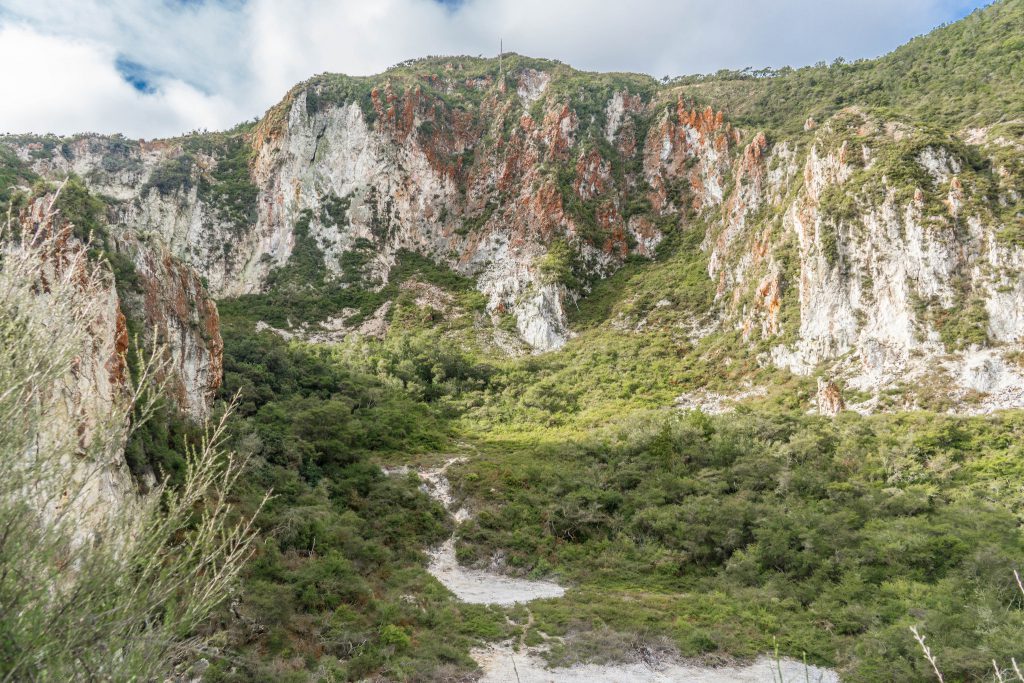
x=67 y=372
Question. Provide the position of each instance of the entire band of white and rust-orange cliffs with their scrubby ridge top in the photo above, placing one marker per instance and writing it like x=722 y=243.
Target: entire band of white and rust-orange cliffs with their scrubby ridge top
x=868 y=246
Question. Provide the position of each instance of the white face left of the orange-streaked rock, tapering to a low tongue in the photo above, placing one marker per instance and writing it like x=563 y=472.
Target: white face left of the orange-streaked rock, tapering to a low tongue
x=397 y=200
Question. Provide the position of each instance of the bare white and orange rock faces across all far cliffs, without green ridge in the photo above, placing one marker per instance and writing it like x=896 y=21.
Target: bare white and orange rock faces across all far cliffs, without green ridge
x=874 y=266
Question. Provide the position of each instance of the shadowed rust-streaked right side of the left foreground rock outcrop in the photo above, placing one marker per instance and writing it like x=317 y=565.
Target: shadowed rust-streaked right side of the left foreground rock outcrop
x=154 y=329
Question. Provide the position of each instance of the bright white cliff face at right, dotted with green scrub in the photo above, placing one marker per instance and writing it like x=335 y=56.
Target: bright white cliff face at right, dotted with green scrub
x=872 y=283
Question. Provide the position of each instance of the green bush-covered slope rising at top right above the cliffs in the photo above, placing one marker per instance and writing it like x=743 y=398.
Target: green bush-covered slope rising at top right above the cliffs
x=967 y=74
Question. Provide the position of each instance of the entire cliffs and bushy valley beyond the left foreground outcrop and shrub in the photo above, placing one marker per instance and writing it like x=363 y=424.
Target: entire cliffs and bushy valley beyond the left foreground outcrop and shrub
x=738 y=360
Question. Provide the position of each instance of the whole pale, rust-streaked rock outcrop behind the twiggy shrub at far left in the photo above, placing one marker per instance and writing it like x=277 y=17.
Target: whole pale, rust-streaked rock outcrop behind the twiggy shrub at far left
x=72 y=312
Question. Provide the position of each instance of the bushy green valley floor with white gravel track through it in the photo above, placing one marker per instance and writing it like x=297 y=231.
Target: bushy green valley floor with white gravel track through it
x=557 y=517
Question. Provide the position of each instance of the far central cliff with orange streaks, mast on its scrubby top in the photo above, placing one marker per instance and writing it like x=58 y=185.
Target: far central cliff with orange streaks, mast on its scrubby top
x=442 y=160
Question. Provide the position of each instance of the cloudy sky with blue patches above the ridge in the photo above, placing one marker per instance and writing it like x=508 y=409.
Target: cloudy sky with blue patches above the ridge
x=160 y=68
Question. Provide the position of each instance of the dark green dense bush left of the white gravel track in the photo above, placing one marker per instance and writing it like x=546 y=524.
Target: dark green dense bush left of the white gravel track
x=344 y=544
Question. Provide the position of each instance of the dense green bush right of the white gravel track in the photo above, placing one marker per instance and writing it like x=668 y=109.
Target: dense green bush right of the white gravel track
x=834 y=537
